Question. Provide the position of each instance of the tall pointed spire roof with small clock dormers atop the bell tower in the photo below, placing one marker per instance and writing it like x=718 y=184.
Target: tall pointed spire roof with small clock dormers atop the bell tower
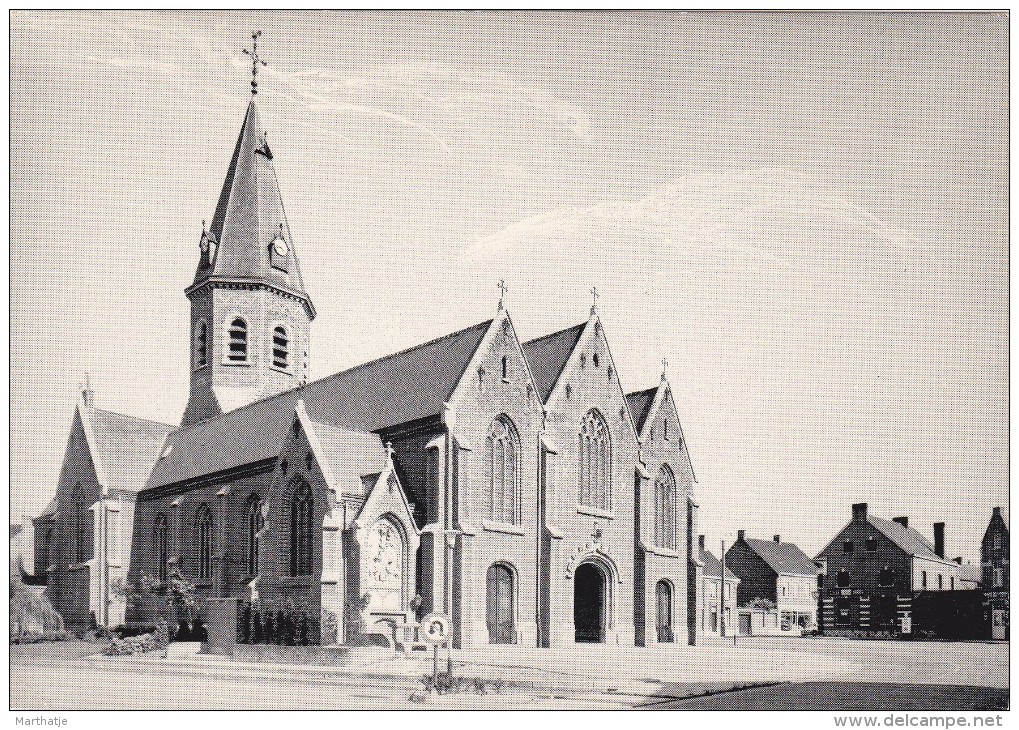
x=249 y=217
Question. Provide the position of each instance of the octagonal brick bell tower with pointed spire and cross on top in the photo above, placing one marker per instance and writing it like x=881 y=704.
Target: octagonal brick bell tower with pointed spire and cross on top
x=250 y=315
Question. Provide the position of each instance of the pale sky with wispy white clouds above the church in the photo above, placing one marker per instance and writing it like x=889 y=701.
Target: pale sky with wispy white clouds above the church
x=805 y=214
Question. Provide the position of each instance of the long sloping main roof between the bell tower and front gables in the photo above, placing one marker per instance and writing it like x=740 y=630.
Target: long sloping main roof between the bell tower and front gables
x=407 y=387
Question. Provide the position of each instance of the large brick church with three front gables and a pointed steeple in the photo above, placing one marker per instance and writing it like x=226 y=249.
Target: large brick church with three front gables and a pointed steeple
x=511 y=485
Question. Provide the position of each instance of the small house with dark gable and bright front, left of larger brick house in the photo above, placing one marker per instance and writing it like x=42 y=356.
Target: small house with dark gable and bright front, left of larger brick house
x=780 y=572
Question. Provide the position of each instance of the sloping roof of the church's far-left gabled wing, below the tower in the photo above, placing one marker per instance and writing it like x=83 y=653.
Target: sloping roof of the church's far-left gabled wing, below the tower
x=127 y=448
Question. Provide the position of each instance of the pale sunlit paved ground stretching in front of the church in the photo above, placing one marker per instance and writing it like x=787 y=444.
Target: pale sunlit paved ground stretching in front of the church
x=58 y=679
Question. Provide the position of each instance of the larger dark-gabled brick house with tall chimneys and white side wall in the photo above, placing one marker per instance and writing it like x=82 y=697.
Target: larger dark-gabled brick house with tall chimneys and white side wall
x=873 y=562
